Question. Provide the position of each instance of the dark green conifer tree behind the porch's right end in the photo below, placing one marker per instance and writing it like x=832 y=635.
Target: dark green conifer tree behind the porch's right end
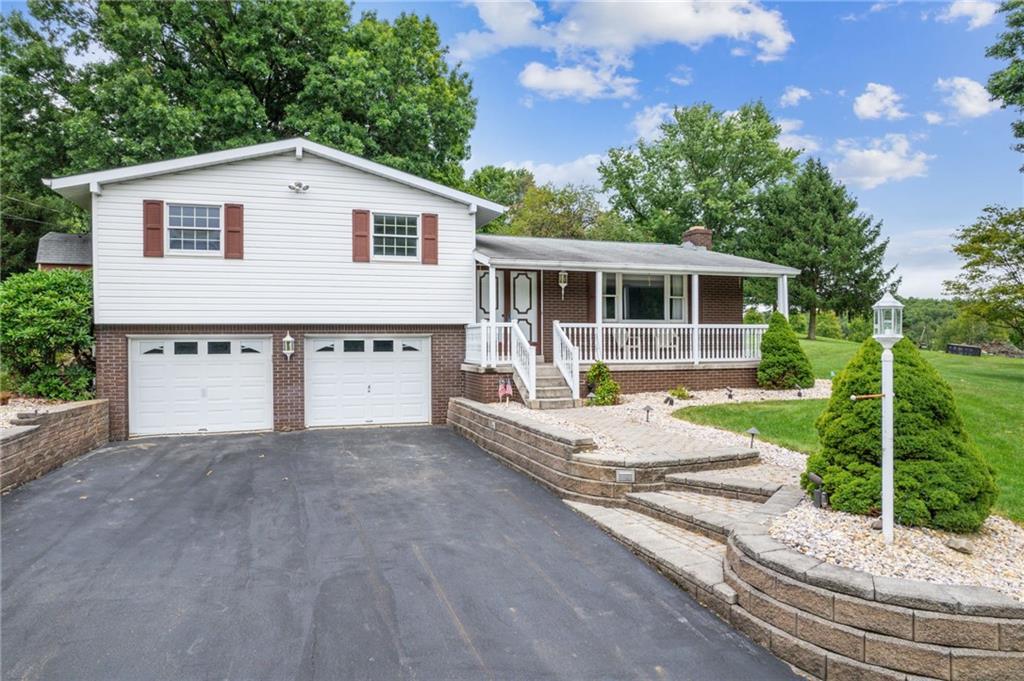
x=814 y=224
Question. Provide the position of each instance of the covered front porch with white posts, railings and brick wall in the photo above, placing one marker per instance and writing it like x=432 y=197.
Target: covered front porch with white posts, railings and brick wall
x=684 y=312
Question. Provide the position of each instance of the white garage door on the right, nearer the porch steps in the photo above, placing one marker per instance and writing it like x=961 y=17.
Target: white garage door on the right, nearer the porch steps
x=368 y=380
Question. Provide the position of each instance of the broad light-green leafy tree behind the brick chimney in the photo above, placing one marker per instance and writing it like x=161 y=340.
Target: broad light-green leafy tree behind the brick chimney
x=707 y=168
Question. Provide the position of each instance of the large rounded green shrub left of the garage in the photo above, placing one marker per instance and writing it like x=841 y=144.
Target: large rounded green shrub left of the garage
x=47 y=332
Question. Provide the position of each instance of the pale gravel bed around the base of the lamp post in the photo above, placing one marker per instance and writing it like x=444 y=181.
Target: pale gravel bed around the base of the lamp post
x=997 y=559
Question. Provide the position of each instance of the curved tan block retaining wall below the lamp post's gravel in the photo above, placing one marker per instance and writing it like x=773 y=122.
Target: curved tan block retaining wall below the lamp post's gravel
x=837 y=623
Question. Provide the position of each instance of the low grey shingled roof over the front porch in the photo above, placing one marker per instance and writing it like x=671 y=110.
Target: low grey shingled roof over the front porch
x=538 y=253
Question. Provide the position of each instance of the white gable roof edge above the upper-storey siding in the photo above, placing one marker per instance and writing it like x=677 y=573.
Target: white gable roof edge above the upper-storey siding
x=80 y=189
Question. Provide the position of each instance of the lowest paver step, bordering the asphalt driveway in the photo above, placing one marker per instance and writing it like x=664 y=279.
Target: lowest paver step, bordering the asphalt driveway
x=691 y=561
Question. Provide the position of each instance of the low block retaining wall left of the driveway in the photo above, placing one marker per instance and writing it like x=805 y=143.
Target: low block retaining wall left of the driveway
x=38 y=444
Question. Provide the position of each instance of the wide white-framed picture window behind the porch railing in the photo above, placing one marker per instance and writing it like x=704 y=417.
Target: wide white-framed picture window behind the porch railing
x=631 y=297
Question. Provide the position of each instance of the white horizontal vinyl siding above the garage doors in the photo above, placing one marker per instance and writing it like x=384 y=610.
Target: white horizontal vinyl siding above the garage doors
x=298 y=251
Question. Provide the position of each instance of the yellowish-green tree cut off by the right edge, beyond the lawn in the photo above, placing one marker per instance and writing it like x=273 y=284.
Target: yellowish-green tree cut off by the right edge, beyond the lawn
x=991 y=285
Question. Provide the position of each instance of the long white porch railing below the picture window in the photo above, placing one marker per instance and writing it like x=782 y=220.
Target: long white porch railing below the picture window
x=652 y=344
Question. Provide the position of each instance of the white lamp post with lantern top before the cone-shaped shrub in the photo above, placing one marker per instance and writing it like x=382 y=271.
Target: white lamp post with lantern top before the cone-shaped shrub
x=888 y=331
